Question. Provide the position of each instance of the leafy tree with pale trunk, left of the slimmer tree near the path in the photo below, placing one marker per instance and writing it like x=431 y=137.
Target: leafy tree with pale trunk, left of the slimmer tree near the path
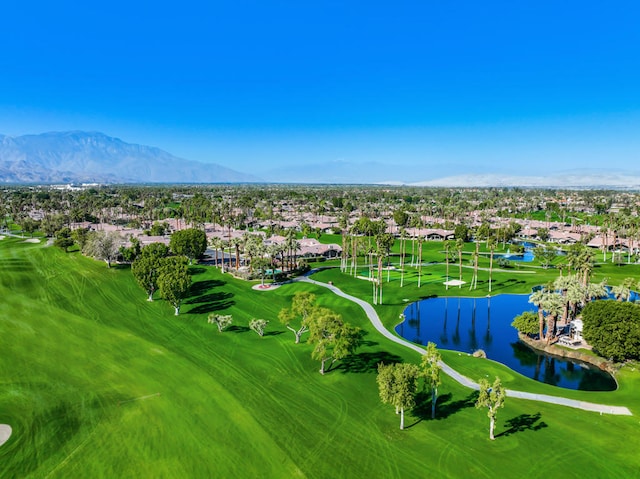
x=398 y=386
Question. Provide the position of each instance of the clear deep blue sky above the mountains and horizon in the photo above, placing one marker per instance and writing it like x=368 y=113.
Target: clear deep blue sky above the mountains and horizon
x=436 y=87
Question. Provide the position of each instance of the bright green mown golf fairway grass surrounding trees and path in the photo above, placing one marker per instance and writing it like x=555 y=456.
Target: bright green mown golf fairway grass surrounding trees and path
x=97 y=382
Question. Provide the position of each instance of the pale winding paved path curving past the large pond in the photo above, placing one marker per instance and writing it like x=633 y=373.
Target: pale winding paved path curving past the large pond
x=465 y=381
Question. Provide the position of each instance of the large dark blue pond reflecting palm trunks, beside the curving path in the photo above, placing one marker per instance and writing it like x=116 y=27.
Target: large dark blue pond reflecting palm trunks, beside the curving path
x=468 y=324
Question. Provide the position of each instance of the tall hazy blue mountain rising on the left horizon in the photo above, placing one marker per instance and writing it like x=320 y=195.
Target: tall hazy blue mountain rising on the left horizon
x=79 y=156
